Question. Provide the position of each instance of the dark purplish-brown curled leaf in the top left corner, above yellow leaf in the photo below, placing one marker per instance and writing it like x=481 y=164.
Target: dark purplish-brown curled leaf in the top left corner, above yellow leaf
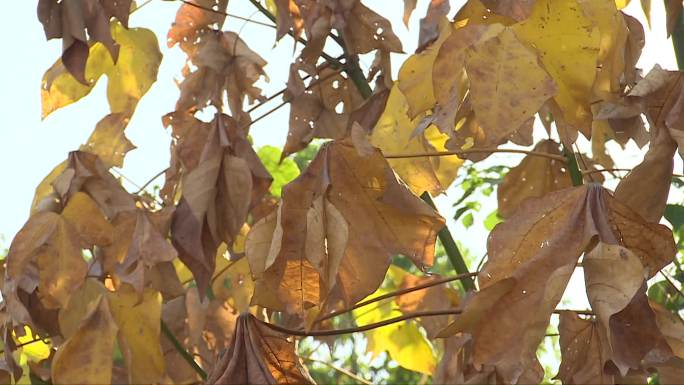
x=79 y=24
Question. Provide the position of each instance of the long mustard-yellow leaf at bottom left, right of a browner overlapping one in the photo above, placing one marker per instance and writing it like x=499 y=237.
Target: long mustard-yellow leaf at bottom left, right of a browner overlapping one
x=139 y=329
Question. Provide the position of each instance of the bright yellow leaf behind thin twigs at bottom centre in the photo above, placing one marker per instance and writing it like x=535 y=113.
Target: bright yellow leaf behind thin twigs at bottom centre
x=402 y=340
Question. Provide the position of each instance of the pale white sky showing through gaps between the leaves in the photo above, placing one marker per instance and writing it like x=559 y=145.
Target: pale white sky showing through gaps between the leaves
x=31 y=148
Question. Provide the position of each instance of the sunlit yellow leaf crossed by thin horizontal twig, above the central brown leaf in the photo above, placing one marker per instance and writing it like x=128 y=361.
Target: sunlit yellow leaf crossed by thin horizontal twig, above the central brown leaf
x=394 y=134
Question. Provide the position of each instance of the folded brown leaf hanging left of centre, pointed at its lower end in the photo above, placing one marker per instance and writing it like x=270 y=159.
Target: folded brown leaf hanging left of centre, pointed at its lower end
x=217 y=195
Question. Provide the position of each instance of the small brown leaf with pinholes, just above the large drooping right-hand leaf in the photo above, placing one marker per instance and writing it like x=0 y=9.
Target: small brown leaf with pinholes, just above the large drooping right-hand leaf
x=533 y=177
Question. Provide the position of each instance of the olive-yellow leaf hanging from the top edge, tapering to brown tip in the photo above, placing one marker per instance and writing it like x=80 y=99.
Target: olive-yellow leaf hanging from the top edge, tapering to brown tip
x=568 y=45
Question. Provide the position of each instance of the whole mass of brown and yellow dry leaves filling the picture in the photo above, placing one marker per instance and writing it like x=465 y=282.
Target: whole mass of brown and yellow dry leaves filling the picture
x=102 y=273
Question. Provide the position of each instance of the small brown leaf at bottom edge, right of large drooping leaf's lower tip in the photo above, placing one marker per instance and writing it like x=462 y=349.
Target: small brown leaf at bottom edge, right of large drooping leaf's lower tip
x=584 y=349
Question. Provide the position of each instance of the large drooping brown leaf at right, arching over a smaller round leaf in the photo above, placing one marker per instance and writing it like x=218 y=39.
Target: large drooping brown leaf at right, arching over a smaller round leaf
x=531 y=258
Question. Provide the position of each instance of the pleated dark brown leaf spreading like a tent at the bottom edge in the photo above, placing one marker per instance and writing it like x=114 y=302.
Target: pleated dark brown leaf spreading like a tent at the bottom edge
x=258 y=355
